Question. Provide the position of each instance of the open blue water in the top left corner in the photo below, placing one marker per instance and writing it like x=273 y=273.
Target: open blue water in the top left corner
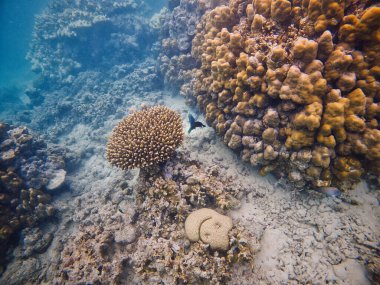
x=16 y=27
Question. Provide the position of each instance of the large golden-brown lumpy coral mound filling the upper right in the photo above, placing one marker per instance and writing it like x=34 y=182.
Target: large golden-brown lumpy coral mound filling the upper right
x=294 y=86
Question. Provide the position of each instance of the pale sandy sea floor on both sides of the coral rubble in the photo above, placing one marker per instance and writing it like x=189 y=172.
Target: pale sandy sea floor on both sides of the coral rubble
x=298 y=237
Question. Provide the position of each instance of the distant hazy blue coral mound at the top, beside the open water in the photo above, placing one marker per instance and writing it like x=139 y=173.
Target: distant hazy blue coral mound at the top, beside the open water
x=115 y=32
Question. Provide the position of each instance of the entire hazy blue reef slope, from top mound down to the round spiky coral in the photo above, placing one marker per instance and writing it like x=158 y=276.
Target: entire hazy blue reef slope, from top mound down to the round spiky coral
x=90 y=58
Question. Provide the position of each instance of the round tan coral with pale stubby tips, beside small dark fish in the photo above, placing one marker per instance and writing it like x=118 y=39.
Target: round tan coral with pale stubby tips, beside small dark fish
x=145 y=138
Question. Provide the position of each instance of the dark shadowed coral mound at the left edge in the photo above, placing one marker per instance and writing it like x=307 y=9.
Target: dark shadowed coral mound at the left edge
x=28 y=175
